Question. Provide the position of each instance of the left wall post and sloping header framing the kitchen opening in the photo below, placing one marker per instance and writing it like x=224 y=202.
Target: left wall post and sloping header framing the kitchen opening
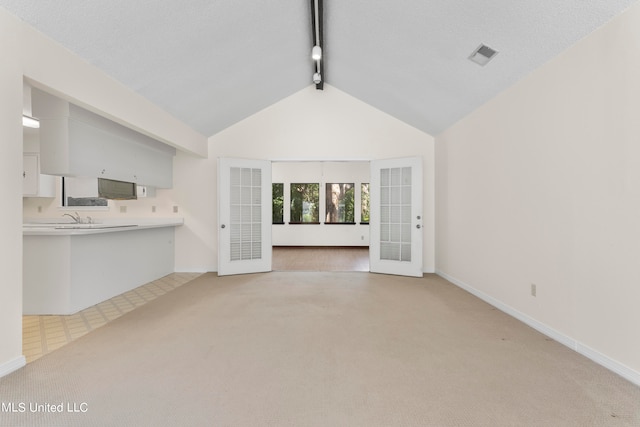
x=27 y=54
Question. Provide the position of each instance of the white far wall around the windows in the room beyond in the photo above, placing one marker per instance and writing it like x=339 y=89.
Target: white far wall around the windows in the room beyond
x=322 y=173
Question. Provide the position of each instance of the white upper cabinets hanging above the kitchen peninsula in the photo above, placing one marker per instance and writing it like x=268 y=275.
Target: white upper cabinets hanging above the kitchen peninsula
x=77 y=142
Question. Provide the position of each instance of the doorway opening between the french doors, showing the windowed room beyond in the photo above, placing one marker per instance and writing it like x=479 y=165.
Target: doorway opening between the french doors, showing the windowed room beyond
x=320 y=215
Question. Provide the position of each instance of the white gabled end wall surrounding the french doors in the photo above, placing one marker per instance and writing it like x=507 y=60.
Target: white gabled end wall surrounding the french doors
x=309 y=125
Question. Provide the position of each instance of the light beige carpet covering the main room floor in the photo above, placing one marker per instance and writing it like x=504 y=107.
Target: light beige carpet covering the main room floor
x=318 y=349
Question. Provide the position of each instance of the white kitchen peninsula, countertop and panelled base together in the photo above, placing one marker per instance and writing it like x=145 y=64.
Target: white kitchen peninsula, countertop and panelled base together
x=68 y=267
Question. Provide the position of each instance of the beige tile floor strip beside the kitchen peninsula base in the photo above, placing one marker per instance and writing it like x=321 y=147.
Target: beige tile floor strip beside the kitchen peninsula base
x=44 y=334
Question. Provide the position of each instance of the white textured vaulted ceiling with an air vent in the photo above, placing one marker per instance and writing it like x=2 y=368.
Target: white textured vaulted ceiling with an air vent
x=214 y=63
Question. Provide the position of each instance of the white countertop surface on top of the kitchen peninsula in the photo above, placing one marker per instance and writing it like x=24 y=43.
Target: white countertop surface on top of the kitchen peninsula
x=52 y=227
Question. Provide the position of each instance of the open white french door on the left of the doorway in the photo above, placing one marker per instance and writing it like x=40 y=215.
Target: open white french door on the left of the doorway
x=244 y=216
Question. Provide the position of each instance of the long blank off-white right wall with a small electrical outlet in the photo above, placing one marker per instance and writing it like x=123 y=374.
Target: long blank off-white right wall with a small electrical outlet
x=542 y=186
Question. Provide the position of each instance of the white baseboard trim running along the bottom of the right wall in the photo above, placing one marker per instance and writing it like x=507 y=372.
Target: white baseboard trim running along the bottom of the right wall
x=594 y=355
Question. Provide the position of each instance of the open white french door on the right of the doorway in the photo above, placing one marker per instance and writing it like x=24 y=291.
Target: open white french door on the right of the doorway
x=395 y=224
